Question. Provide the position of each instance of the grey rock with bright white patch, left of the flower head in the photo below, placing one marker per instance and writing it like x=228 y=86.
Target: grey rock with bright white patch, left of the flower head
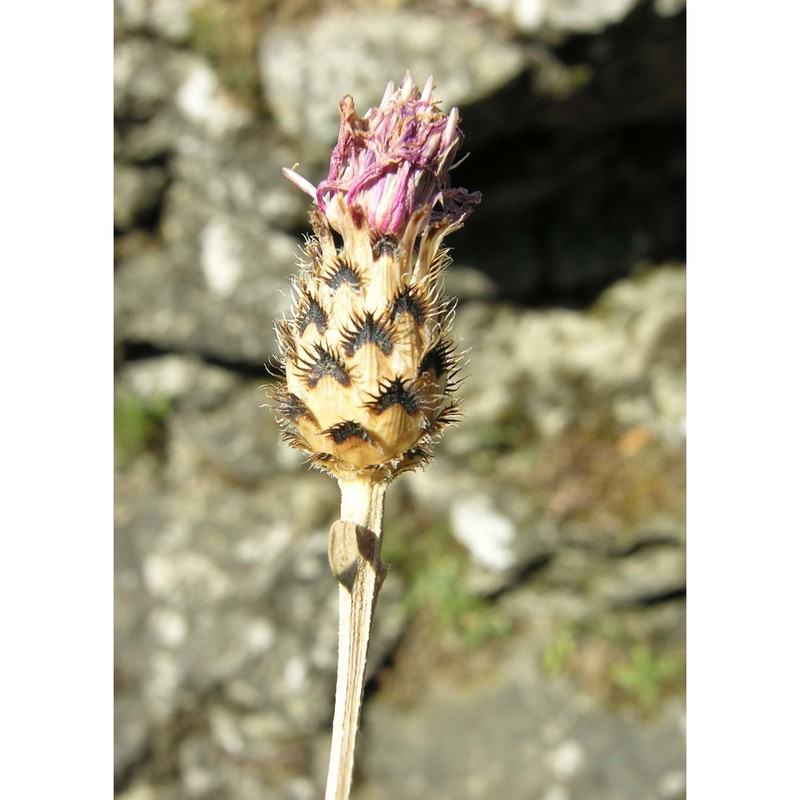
x=215 y=290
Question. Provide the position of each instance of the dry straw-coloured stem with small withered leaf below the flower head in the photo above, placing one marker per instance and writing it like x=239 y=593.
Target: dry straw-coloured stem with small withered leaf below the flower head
x=355 y=558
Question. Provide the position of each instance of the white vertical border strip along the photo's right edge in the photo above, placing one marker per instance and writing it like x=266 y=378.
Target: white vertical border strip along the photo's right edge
x=743 y=310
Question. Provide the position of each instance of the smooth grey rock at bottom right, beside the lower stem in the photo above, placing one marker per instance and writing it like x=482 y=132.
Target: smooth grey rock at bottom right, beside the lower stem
x=514 y=737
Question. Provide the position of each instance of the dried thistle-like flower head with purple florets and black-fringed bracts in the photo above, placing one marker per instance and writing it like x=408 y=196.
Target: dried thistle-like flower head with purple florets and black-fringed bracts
x=367 y=352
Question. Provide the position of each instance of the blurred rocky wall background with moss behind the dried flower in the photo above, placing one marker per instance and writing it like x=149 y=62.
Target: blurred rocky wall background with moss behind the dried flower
x=530 y=638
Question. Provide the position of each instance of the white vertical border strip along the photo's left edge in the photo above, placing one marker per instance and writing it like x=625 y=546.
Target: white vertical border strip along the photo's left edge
x=56 y=305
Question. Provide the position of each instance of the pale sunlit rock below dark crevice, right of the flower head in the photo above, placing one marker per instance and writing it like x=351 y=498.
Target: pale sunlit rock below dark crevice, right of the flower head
x=561 y=362
